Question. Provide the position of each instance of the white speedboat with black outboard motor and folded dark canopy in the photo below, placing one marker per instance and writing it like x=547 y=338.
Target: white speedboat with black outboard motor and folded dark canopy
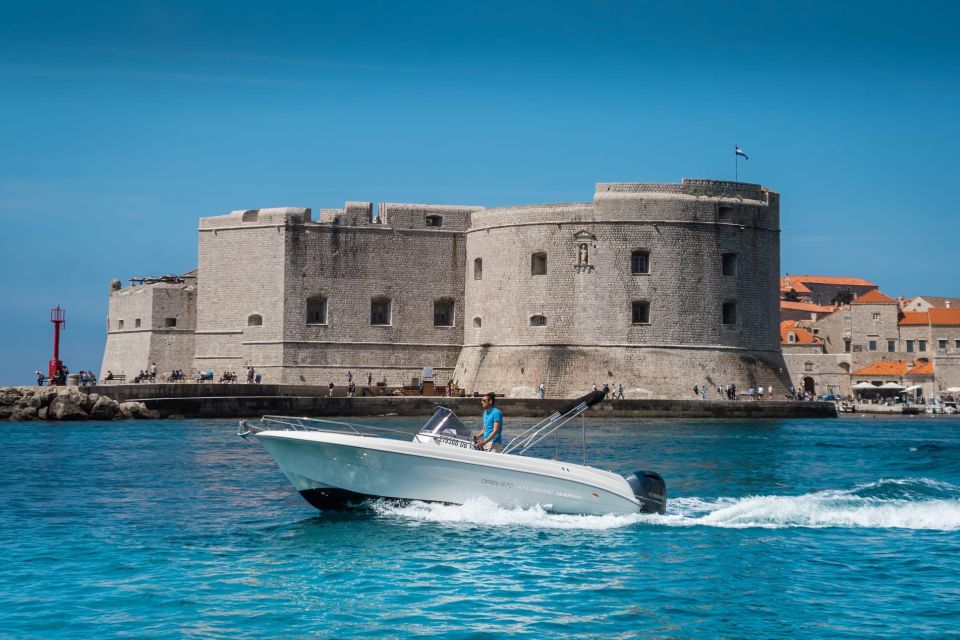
x=335 y=465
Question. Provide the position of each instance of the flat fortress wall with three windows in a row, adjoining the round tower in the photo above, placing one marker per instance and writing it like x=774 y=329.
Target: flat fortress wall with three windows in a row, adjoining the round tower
x=349 y=266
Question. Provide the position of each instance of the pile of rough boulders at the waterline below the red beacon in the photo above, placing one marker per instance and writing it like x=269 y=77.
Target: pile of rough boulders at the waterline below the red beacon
x=65 y=403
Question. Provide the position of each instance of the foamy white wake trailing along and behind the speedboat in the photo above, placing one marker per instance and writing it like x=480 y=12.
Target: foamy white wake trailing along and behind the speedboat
x=909 y=503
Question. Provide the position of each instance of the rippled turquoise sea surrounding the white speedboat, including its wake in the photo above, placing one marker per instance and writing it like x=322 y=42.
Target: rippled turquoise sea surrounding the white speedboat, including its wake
x=845 y=528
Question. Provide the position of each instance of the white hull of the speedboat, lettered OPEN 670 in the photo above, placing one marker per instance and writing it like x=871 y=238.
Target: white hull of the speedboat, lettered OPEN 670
x=333 y=471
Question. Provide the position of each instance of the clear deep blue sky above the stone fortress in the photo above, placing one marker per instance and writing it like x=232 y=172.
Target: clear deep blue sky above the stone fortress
x=122 y=123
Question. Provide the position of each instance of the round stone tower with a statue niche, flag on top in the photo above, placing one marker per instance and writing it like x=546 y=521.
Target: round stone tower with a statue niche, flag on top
x=656 y=287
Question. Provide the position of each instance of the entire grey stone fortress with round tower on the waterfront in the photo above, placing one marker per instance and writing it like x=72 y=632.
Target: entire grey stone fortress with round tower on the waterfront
x=658 y=287
